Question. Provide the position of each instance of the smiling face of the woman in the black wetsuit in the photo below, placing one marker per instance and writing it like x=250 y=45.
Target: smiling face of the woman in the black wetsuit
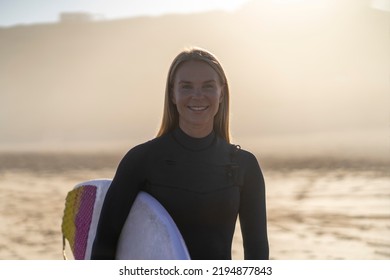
x=197 y=93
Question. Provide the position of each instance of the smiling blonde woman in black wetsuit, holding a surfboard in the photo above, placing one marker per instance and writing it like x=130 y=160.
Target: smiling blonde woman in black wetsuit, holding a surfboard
x=202 y=180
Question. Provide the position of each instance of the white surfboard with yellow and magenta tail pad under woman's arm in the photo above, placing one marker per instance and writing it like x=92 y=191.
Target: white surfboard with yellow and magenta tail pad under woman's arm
x=149 y=232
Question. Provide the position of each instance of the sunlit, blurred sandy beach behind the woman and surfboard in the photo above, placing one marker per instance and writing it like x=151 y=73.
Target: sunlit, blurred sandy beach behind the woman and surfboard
x=317 y=208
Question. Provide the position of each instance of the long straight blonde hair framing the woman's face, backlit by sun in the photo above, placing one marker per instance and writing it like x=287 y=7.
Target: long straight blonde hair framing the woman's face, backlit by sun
x=170 y=119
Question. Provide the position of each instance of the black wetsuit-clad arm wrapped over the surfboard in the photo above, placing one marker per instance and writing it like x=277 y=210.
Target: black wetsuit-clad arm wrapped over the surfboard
x=120 y=196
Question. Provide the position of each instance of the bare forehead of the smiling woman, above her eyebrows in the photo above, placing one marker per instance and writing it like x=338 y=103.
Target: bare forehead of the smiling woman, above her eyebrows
x=194 y=70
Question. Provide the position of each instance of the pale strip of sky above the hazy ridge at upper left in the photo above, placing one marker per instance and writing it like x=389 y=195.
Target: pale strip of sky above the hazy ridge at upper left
x=14 y=12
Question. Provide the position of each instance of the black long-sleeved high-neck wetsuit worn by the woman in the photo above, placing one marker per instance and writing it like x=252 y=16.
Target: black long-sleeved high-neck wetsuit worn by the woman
x=204 y=183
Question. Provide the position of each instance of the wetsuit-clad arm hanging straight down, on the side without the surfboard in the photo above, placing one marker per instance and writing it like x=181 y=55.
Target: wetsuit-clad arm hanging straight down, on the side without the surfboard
x=253 y=218
